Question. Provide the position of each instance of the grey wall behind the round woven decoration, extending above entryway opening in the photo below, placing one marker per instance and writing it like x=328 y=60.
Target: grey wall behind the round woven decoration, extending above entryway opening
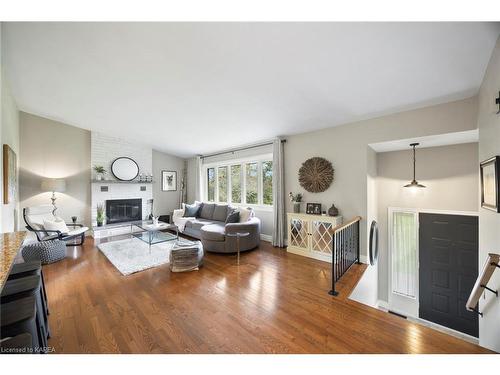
x=346 y=147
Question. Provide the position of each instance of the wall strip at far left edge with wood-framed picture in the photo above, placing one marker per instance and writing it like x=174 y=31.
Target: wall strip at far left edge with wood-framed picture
x=10 y=136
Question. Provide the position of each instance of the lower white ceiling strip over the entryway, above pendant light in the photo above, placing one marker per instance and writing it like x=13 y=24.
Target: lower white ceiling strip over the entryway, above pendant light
x=468 y=136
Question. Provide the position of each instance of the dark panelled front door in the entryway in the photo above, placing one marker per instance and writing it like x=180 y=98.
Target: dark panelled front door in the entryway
x=448 y=252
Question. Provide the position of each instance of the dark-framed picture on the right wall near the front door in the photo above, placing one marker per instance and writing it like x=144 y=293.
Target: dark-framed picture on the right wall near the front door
x=490 y=194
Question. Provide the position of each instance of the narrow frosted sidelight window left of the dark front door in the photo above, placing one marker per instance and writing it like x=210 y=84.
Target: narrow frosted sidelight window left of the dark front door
x=404 y=253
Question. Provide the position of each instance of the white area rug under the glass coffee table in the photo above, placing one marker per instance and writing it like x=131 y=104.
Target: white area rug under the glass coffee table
x=133 y=255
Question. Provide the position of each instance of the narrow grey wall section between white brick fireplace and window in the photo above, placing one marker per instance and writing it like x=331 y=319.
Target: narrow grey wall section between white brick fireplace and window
x=166 y=201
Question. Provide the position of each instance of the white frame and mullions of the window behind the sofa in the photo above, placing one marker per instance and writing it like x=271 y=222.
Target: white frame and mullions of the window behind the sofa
x=243 y=162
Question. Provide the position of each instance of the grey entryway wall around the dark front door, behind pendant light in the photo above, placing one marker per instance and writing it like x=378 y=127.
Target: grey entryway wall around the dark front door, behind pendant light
x=450 y=174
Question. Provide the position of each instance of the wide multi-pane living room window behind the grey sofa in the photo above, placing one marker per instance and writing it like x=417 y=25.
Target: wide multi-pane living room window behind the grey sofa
x=249 y=181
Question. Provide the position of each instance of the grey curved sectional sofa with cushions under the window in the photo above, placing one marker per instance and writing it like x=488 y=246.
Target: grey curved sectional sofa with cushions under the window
x=209 y=226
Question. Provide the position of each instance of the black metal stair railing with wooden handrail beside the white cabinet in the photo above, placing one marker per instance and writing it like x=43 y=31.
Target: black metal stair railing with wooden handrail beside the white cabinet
x=345 y=250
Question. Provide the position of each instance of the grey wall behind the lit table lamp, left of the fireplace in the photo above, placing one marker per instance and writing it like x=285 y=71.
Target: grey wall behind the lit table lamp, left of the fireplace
x=55 y=150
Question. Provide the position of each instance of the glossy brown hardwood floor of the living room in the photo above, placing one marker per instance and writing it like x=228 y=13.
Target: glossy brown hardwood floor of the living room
x=273 y=302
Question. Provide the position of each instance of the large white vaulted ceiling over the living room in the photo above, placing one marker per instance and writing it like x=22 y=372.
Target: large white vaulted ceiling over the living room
x=189 y=88
